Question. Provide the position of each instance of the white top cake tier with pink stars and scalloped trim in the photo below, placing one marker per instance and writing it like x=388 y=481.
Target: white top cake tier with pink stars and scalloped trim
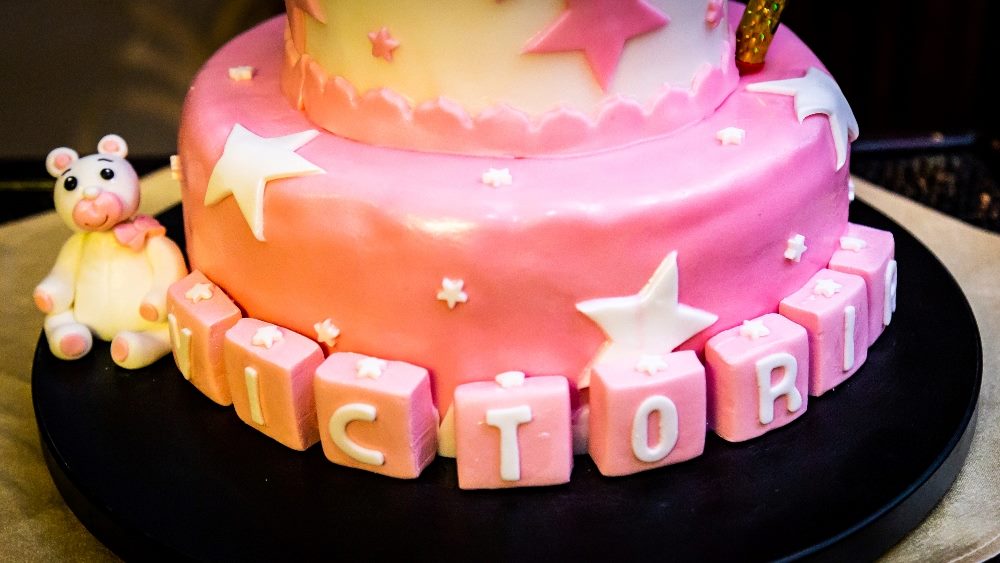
x=507 y=77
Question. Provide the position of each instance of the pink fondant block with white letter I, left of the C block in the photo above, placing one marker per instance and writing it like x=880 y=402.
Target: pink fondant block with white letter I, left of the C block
x=270 y=371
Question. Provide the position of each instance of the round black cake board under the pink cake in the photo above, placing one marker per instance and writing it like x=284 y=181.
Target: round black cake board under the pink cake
x=157 y=471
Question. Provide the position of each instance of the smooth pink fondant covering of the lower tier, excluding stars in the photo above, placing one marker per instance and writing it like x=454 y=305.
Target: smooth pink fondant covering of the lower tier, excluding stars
x=367 y=243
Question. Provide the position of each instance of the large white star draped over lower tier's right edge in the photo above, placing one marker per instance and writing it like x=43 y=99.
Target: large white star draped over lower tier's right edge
x=818 y=93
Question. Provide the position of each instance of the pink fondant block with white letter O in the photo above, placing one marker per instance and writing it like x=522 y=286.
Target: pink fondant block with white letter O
x=640 y=420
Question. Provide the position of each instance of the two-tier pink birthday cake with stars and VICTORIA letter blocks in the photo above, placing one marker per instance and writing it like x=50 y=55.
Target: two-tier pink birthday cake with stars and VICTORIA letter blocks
x=511 y=231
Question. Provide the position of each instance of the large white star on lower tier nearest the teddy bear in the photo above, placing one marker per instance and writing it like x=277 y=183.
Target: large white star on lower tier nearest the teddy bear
x=249 y=162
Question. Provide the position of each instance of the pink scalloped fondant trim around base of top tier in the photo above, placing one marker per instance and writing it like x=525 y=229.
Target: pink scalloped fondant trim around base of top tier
x=385 y=118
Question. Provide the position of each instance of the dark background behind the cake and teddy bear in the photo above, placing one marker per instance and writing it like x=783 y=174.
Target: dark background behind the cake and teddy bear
x=916 y=73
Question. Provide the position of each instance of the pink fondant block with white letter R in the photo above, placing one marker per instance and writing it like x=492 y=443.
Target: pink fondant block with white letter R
x=758 y=377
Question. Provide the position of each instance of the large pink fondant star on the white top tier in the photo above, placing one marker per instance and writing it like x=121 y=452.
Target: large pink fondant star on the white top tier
x=600 y=29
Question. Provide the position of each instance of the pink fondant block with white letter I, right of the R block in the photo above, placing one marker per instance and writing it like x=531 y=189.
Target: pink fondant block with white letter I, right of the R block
x=833 y=308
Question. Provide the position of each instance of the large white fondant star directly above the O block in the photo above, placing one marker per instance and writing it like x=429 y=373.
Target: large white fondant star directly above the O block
x=651 y=321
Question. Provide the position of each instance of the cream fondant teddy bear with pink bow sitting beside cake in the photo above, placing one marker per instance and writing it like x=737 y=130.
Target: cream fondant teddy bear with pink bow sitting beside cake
x=112 y=275
